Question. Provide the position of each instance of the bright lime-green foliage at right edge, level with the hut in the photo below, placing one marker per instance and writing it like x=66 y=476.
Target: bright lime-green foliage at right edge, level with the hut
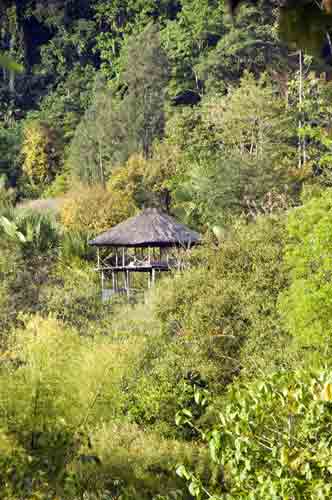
x=306 y=304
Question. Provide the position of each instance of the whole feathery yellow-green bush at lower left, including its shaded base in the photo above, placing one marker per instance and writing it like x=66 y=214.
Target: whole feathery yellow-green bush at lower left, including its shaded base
x=55 y=386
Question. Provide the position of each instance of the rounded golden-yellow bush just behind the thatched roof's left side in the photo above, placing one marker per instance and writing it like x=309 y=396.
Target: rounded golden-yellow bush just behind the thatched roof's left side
x=94 y=209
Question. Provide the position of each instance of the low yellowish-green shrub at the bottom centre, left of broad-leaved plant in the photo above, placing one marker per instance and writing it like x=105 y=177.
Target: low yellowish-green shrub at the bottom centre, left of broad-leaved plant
x=141 y=461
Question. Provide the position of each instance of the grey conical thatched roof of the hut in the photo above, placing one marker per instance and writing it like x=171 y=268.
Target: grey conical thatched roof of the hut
x=151 y=228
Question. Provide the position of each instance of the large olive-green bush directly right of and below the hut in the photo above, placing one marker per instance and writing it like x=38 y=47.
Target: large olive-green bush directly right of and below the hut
x=228 y=304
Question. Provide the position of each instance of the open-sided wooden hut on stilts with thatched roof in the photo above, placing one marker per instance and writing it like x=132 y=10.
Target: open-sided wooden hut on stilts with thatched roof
x=147 y=243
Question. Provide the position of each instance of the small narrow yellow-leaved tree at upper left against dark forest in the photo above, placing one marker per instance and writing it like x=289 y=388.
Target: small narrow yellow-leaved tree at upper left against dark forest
x=38 y=152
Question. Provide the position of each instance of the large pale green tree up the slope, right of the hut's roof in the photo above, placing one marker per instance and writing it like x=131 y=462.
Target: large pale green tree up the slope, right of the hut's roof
x=244 y=150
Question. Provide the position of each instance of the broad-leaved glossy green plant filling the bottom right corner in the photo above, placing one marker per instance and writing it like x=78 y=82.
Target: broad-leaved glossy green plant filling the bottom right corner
x=270 y=440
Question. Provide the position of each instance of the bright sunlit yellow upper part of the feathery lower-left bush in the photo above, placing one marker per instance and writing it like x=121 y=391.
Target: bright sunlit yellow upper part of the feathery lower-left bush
x=63 y=379
